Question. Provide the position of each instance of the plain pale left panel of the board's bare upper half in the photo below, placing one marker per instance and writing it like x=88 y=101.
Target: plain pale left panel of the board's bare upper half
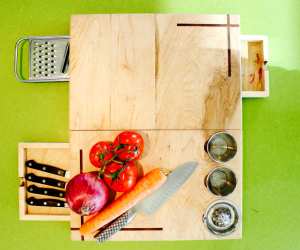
x=112 y=72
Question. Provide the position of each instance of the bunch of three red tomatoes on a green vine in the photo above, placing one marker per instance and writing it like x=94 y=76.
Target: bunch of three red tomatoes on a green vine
x=117 y=160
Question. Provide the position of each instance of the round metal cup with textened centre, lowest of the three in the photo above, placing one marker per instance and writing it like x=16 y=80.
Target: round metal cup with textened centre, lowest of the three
x=221 y=218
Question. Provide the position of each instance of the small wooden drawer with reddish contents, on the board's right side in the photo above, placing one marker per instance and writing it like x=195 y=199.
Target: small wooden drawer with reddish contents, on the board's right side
x=254 y=59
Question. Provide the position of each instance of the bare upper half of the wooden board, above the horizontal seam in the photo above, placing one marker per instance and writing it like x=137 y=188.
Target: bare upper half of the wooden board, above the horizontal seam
x=134 y=71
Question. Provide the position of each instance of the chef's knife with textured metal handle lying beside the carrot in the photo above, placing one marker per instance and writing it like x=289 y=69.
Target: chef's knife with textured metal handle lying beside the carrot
x=151 y=203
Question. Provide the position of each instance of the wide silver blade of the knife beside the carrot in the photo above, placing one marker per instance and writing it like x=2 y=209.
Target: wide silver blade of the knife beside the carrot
x=174 y=181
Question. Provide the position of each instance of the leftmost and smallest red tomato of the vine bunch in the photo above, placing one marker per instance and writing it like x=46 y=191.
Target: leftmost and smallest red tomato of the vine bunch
x=101 y=153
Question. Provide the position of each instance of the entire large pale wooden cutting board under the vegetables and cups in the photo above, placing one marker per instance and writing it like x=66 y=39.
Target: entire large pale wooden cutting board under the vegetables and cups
x=176 y=79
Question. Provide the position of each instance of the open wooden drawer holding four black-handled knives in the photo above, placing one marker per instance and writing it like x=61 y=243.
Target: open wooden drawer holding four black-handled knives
x=56 y=154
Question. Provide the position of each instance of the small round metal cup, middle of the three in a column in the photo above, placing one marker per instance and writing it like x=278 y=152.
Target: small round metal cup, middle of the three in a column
x=221 y=181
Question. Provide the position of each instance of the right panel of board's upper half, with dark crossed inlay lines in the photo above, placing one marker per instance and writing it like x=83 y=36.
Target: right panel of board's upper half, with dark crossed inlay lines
x=194 y=90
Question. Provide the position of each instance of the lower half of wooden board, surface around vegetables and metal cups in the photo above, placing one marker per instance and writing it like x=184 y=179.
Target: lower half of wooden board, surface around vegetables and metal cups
x=166 y=148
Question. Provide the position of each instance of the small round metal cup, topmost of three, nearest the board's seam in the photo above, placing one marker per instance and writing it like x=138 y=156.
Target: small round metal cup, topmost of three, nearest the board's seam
x=221 y=147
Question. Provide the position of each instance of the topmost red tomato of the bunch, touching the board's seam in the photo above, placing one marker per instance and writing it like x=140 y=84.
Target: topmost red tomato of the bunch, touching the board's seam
x=129 y=145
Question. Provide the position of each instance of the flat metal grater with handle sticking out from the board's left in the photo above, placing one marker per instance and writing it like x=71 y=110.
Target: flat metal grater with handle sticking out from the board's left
x=48 y=58
